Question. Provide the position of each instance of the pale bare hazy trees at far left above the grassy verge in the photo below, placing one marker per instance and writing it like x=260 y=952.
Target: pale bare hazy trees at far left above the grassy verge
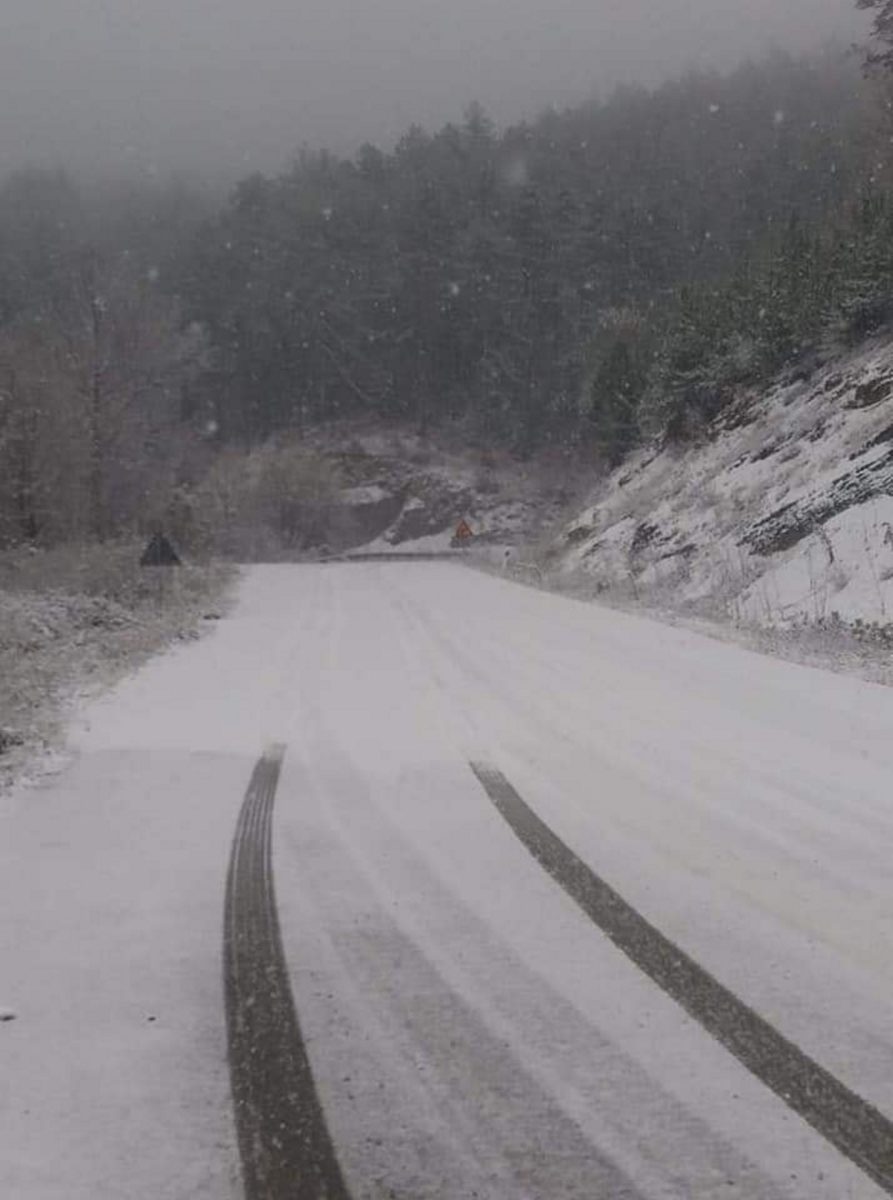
x=98 y=364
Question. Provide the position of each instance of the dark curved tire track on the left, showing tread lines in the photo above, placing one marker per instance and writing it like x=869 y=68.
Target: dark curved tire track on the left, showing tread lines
x=285 y=1147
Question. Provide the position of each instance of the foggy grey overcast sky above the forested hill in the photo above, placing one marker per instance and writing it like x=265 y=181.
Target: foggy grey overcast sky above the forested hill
x=231 y=86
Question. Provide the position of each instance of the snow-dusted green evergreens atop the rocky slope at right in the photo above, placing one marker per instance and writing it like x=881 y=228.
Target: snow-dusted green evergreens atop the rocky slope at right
x=807 y=296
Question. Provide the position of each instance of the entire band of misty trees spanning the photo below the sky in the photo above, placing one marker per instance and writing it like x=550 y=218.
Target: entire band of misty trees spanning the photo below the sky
x=606 y=272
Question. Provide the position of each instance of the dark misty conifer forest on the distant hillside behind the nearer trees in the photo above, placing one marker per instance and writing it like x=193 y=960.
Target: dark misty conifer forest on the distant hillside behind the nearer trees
x=507 y=280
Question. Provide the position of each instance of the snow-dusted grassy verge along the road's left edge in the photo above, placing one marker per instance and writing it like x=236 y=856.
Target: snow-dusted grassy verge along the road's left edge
x=74 y=622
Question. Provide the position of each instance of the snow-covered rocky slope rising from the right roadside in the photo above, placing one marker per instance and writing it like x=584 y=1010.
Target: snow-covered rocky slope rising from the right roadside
x=784 y=515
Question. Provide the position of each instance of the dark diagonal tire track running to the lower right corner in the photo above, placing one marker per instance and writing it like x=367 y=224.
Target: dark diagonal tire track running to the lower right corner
x=854 y=1126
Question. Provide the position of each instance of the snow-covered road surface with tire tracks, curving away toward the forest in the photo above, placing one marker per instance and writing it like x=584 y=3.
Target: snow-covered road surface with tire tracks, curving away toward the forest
x=474 y=1027
